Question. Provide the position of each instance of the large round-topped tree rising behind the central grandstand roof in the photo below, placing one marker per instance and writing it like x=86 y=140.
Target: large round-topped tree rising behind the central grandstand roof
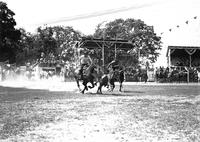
x=146 y=42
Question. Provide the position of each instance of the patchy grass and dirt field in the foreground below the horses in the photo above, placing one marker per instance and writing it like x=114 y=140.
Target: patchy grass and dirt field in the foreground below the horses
x=142 y=113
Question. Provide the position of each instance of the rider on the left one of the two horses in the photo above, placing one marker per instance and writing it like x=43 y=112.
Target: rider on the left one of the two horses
x=85 y=61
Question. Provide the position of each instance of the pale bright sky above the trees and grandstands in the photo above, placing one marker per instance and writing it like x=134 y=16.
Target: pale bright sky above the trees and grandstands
x=85 y=15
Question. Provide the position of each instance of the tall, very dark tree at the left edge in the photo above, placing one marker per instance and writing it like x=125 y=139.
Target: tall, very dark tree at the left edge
x=9 y=36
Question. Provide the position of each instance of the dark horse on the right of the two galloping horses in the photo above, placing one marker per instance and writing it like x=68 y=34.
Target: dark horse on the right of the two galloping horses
x=110 y=79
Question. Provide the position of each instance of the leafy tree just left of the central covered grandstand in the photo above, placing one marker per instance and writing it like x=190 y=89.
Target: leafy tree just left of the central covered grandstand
x=57 y=40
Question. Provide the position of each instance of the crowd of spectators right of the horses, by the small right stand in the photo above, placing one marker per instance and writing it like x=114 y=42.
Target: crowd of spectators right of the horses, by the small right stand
x=164 y=74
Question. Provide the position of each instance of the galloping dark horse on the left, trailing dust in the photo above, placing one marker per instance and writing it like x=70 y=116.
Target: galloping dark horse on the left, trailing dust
x=89 y=75
